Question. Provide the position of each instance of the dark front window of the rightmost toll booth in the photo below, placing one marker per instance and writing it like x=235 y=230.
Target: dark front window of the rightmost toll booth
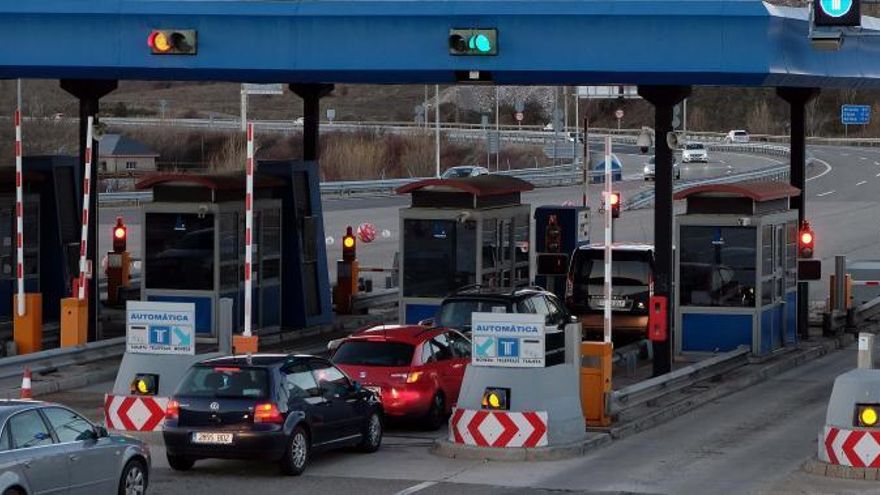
x=717 y=266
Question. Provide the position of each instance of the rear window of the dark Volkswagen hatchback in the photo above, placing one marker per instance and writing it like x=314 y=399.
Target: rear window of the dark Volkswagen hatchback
x=225 y=382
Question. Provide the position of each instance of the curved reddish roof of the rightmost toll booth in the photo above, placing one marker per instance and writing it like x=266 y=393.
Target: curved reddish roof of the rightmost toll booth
x=749 y=198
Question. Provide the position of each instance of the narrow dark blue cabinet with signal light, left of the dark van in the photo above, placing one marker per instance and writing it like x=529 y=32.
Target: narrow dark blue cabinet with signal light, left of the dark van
x=559 y=230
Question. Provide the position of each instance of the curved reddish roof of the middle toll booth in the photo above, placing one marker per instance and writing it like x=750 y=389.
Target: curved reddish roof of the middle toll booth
x=485 y=191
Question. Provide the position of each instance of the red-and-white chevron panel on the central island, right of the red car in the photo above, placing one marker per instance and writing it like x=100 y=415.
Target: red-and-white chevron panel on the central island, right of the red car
x=502 y=429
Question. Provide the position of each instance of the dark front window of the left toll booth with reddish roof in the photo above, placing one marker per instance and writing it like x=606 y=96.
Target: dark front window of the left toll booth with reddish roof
x=179 y=251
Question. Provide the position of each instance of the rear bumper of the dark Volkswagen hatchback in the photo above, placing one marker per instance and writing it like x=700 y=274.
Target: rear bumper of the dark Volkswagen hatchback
x=245 y=444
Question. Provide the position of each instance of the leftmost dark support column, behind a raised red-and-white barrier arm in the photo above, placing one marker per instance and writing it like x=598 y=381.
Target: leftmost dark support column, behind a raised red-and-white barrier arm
x=89 y=92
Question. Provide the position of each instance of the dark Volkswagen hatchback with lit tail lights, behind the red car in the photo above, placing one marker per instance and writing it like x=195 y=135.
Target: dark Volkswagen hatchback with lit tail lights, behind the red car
x=271 y=407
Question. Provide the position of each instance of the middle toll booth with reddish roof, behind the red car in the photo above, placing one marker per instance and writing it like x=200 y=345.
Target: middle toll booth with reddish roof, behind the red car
x=458 y=233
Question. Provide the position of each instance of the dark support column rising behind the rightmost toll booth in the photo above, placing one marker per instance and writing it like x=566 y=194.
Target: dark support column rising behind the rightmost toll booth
x=797 y=99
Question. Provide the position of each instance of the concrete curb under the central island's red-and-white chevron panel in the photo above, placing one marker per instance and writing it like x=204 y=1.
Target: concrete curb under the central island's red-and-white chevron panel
x=445 y=448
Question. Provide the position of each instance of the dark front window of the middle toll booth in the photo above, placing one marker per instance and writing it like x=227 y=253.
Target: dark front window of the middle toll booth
x=431 y=247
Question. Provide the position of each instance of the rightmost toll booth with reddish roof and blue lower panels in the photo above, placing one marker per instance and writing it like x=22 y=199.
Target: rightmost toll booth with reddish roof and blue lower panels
x=736 y=268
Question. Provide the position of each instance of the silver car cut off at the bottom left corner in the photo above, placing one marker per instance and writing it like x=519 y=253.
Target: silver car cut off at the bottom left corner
x=48 y=448
